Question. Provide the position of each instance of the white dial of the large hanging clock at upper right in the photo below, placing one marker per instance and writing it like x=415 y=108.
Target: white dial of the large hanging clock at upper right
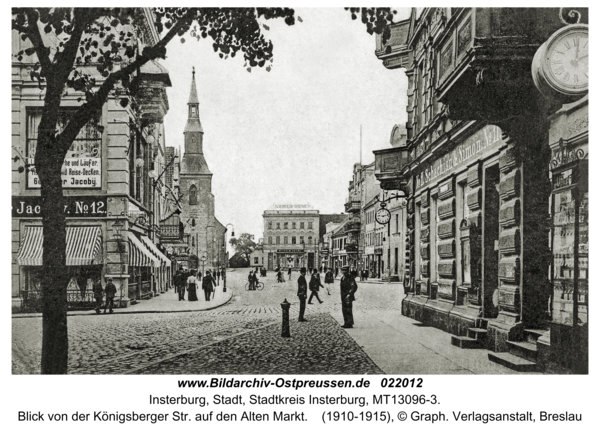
x=567 y=60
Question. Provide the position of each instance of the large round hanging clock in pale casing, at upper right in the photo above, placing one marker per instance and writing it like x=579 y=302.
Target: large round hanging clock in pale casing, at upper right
x=560 y=65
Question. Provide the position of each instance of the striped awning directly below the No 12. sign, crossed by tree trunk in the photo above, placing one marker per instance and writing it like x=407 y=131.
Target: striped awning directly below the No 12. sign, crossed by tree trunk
x=84 y=246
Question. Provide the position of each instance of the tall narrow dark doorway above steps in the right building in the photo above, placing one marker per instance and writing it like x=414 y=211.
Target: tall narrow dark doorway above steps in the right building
x=490 y=242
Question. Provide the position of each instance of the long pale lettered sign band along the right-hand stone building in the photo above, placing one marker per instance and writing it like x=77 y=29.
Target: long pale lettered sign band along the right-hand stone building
x=471 y=148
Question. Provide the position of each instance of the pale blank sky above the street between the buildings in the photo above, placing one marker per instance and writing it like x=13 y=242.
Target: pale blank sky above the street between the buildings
x=290 y=135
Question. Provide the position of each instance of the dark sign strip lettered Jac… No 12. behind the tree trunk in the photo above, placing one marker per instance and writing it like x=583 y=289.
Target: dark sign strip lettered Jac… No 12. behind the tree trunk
x=75 y=206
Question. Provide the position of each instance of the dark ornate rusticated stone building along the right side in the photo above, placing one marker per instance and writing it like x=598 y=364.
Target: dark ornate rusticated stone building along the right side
x=476 y=171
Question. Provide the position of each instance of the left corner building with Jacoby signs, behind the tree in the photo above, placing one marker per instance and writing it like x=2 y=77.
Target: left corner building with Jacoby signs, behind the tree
x=112 y=186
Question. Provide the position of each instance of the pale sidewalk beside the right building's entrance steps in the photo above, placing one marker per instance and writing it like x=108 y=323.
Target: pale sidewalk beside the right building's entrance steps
x=400 y=345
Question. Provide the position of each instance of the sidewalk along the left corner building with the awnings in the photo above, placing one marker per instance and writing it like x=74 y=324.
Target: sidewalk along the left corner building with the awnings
x=164 y=303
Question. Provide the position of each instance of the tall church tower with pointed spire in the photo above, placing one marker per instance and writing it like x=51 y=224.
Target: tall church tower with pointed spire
x=195 y=182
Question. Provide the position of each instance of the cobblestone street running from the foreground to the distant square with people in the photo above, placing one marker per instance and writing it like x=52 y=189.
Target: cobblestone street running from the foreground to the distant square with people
x=245 y=332
